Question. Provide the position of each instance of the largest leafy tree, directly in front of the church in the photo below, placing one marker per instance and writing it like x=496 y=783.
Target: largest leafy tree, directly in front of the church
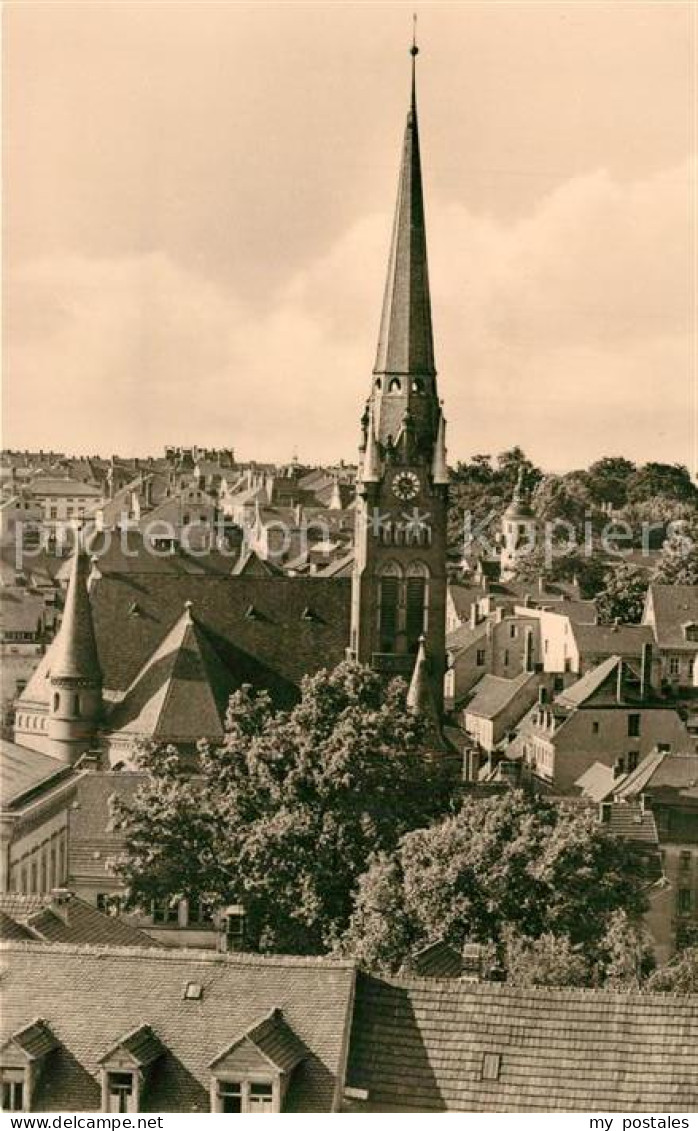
x=283 y=816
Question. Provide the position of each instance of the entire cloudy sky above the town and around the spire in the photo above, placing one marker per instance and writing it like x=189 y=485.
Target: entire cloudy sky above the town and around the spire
x=197 y=214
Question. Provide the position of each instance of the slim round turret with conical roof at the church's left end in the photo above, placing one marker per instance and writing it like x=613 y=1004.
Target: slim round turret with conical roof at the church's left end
x=75 y=705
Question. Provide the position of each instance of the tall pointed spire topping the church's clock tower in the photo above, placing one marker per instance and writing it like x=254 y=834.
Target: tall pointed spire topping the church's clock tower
x=406 y=343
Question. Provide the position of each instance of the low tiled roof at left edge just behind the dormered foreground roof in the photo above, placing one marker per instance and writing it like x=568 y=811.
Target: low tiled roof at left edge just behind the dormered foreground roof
x=73 y=921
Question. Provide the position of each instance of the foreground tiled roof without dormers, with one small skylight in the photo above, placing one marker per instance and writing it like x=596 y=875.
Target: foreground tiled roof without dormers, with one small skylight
x=420 y=1047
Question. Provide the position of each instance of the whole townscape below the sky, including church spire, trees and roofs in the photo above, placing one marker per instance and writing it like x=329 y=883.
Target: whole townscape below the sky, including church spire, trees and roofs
x=359 y=788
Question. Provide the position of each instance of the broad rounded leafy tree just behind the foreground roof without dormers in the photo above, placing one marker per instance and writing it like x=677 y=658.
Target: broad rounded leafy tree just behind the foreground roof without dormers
x=501 y=865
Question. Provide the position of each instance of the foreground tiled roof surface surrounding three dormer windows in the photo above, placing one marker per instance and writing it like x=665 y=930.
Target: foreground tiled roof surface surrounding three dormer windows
x=91 y=998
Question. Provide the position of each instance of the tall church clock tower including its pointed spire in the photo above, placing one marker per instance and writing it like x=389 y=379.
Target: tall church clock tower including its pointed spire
x=399 y=600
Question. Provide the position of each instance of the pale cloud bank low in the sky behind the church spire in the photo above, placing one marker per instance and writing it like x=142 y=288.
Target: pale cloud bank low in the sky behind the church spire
x=567 y=332
